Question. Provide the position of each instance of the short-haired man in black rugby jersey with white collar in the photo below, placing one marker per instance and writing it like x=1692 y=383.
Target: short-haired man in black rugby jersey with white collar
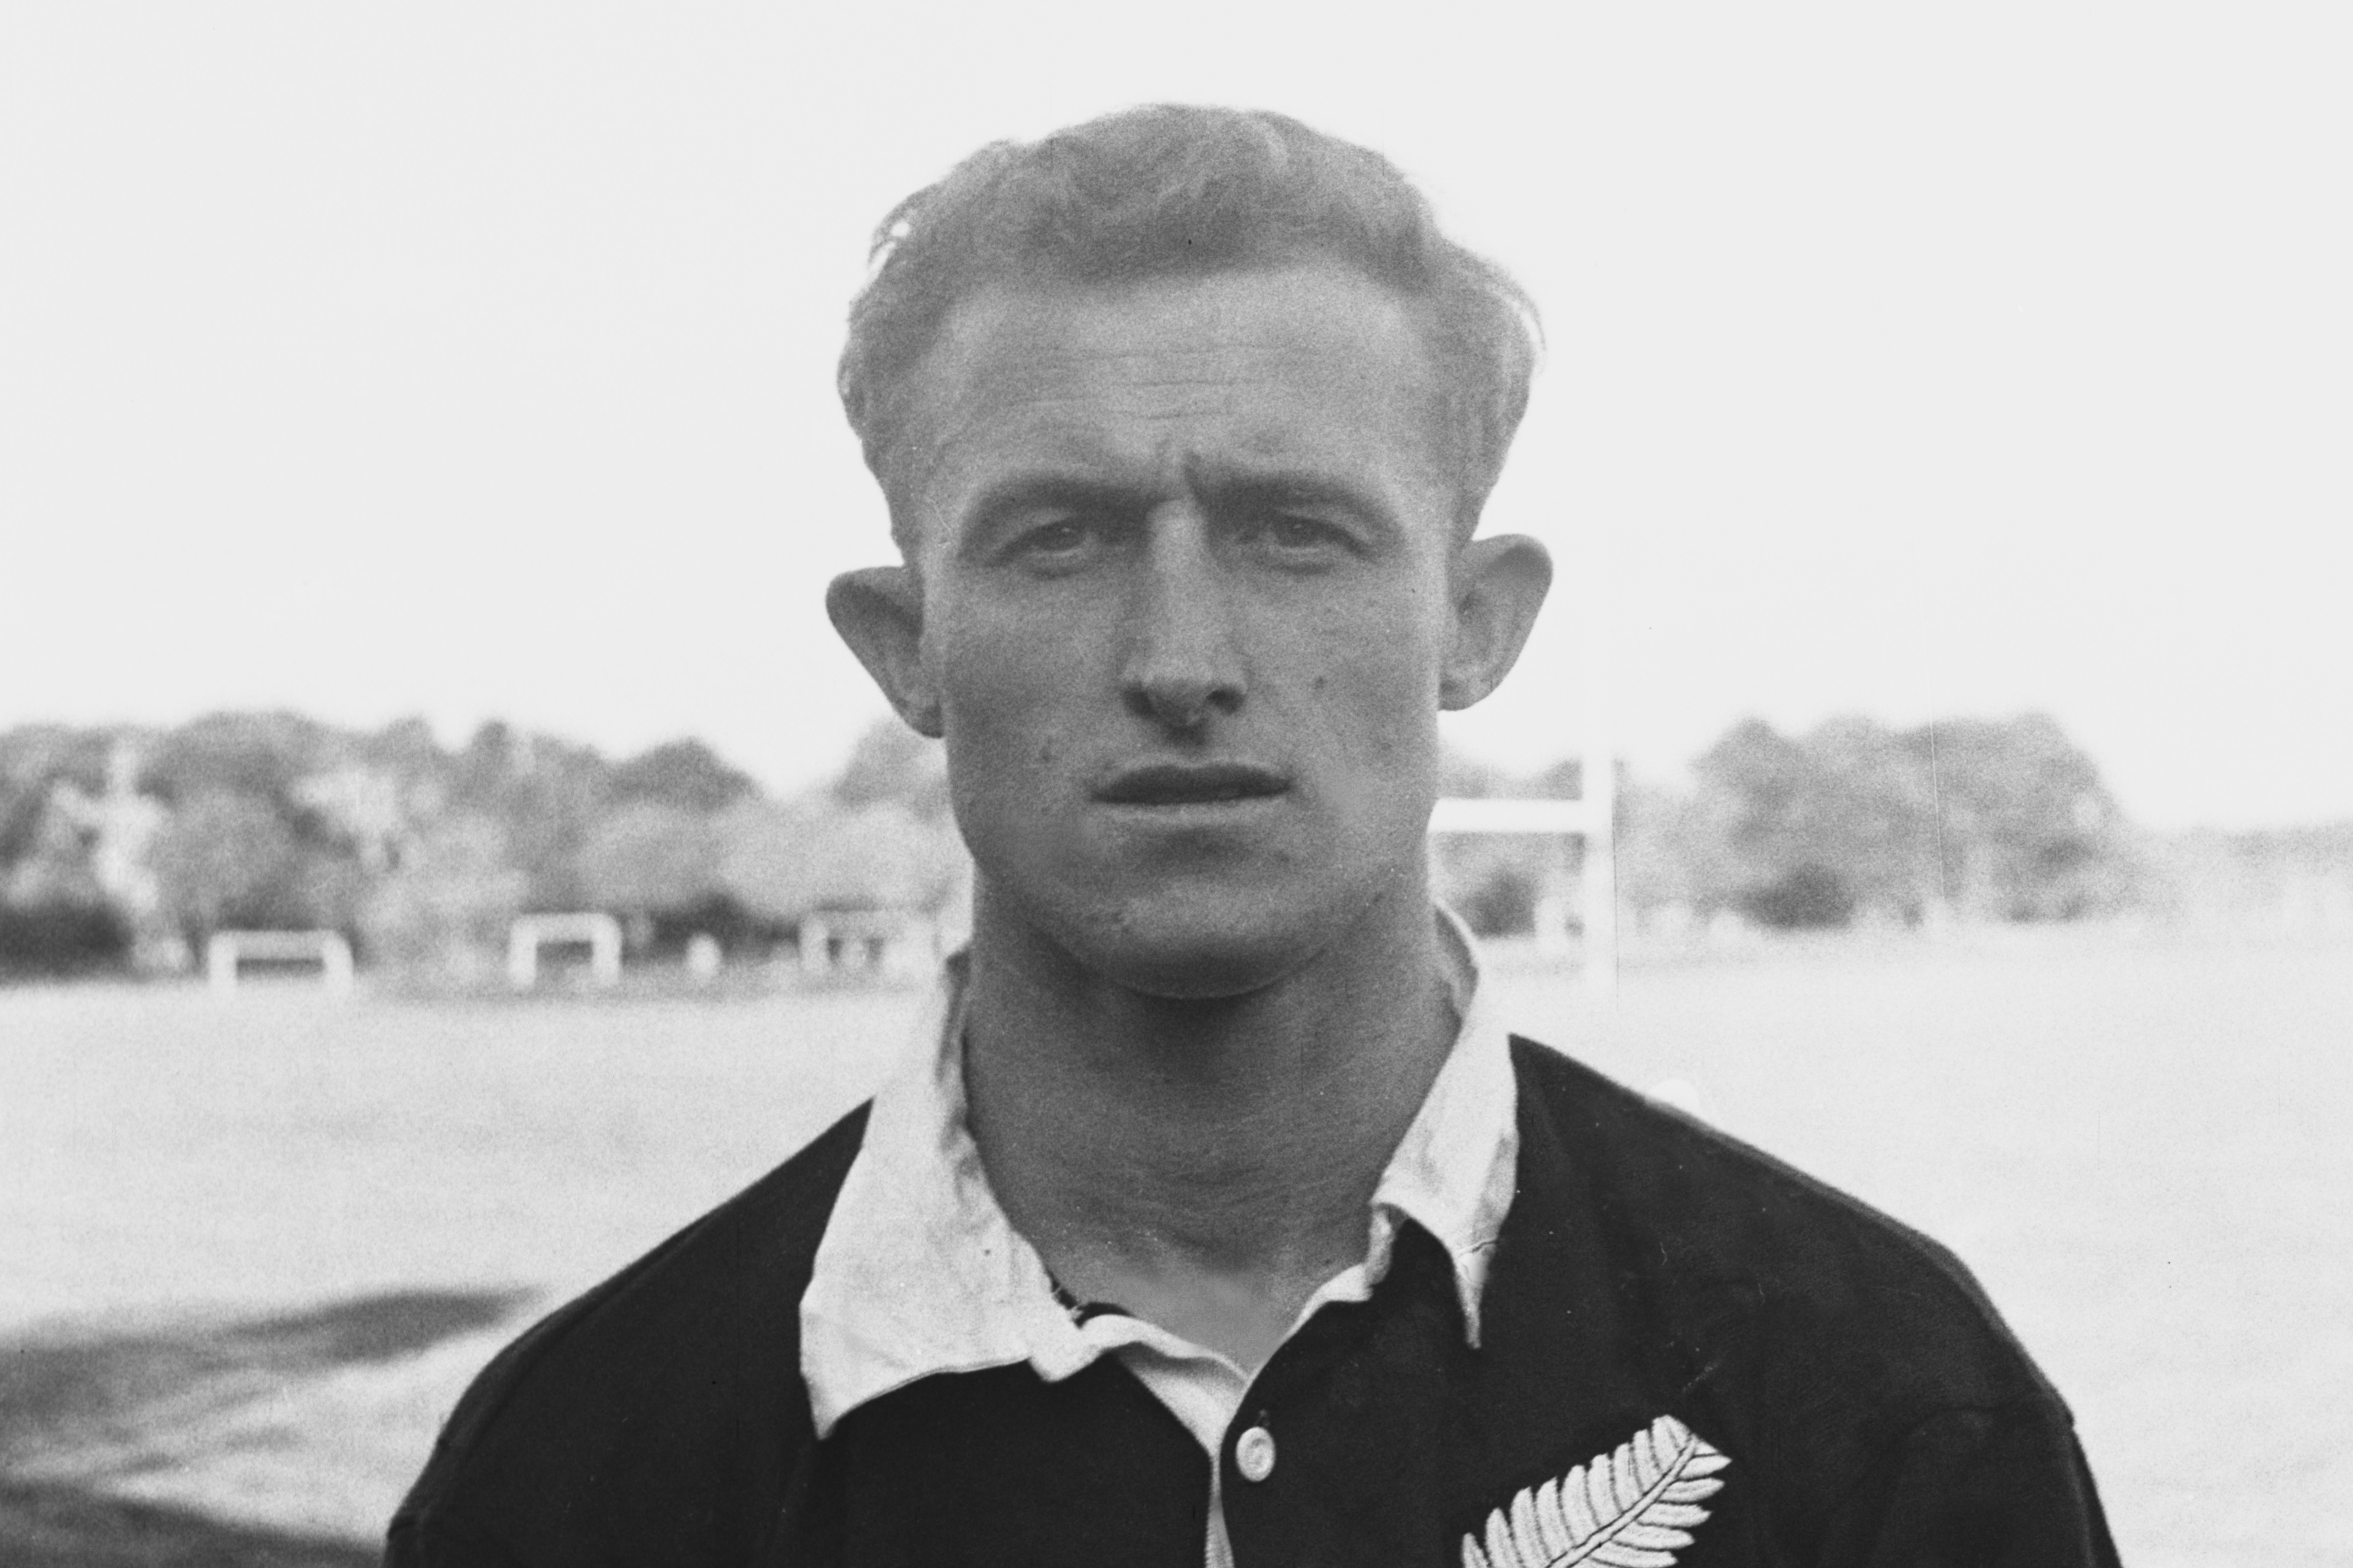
x=1215 y=1218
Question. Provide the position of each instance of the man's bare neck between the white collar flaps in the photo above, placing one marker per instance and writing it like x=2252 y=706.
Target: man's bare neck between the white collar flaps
x=1206 y=1164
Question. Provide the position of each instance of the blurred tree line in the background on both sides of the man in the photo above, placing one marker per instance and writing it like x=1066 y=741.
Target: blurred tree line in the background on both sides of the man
x=128 y=849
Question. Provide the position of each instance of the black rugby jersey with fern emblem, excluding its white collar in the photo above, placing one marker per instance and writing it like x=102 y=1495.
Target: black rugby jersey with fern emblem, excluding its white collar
x=1691 y=1355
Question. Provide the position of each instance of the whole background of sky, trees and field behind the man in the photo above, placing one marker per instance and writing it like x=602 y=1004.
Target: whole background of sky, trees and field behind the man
x=420 y=472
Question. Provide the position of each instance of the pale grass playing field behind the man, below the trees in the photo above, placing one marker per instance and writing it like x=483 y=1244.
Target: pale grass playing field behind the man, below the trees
x=251 y=1251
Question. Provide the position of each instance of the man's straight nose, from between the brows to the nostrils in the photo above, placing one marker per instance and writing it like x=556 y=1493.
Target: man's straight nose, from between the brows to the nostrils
x=1182 y=660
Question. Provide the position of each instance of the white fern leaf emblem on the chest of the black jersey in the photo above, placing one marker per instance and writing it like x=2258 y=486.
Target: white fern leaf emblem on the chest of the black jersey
x=1632 y=1508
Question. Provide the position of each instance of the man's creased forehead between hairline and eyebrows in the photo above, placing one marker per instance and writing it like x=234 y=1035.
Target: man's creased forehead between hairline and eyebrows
x=1314 y=373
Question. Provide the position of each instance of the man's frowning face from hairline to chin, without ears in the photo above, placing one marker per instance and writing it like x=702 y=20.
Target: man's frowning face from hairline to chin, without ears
x=1185 y=564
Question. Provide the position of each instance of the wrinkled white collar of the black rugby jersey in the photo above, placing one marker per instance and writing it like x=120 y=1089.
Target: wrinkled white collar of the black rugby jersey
x=921 y=1273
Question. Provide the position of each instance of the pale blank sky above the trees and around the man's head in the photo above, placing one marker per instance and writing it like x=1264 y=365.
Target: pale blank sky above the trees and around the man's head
x=479 y=361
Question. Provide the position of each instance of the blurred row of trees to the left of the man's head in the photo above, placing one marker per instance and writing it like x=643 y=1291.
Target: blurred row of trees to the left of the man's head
x=128 y=849
